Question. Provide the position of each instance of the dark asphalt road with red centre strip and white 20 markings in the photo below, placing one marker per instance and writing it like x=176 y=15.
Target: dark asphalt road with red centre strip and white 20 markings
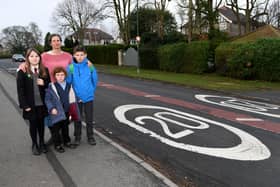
x=190 y=134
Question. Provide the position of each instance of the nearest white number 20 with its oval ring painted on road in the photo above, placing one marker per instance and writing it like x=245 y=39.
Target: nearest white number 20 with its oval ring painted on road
x=249 y=149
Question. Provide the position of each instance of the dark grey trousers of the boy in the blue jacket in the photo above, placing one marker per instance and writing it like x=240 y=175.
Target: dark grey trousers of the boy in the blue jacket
x=87 y=109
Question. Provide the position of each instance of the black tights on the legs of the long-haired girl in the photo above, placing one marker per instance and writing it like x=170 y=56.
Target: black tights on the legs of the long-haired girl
x=37 y=128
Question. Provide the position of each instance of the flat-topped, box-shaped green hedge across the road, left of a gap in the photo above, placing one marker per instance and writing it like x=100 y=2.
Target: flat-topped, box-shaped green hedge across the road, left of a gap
x=184 y=58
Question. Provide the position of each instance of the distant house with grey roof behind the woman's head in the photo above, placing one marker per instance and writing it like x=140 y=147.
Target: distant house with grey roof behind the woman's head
x=93 y=36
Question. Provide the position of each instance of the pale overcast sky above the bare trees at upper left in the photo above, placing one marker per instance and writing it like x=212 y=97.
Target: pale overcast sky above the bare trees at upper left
x=22 y=12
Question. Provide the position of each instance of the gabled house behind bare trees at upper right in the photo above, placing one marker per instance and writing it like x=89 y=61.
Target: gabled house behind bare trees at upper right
x=227 y=22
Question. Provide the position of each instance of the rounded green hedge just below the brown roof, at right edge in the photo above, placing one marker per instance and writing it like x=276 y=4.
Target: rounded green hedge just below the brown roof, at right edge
x=259 y=60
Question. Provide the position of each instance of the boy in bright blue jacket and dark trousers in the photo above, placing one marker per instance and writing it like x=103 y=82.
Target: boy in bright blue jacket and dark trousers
x=84 y=81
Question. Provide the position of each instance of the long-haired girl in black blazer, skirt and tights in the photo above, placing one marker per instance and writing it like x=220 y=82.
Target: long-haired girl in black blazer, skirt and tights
x=31 y=87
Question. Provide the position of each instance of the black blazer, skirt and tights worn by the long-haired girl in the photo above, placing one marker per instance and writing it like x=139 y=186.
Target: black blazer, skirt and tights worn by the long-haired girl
x=31 y=95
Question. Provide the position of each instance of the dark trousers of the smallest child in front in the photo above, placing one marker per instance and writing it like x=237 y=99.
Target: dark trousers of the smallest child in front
x=60 y=132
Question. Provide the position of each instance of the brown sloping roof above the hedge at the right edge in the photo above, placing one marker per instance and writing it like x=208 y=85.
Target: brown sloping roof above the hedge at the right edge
x=266 y=31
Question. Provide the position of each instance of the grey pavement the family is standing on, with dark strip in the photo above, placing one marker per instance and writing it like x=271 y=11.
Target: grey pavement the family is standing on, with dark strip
x=105 y=165
